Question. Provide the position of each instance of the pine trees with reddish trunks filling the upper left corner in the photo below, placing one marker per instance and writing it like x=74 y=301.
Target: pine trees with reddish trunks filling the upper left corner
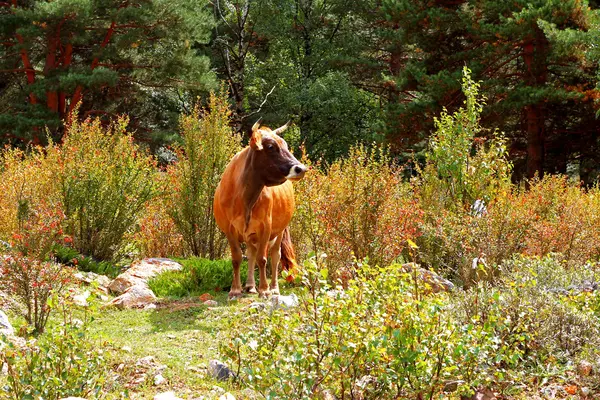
x=111 y=55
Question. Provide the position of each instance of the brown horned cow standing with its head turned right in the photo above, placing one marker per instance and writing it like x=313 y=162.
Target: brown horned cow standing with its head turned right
x=254 y=203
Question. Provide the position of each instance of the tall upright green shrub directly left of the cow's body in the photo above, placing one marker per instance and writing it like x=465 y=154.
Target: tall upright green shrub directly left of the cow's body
x=209 y=144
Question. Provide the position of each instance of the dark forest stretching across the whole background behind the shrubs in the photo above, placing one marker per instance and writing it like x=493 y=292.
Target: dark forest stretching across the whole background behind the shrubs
x=343 y=71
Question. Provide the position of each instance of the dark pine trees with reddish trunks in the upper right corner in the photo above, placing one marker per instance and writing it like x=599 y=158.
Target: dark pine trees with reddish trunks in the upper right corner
x=530 y=55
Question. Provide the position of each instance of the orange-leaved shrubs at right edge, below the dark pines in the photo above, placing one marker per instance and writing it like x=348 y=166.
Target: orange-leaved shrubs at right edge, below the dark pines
x=553 y=216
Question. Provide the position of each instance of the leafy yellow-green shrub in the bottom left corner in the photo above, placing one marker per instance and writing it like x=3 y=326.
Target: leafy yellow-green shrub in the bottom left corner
x=61 y=363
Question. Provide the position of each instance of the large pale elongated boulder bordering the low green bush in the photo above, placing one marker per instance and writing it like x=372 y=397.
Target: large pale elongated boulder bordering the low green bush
x=140 y=272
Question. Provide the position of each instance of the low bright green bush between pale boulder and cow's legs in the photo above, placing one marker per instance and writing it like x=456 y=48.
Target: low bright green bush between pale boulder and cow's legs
x=197 y=276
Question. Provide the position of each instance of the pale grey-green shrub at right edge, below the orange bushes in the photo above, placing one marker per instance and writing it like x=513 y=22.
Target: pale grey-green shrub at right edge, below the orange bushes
x=539 y=304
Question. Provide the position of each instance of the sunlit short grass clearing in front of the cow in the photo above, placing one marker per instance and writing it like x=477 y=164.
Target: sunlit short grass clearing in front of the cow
x=183 y=335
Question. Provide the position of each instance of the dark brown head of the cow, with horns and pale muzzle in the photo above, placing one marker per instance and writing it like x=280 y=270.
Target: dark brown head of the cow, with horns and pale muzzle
x=271 y=157
